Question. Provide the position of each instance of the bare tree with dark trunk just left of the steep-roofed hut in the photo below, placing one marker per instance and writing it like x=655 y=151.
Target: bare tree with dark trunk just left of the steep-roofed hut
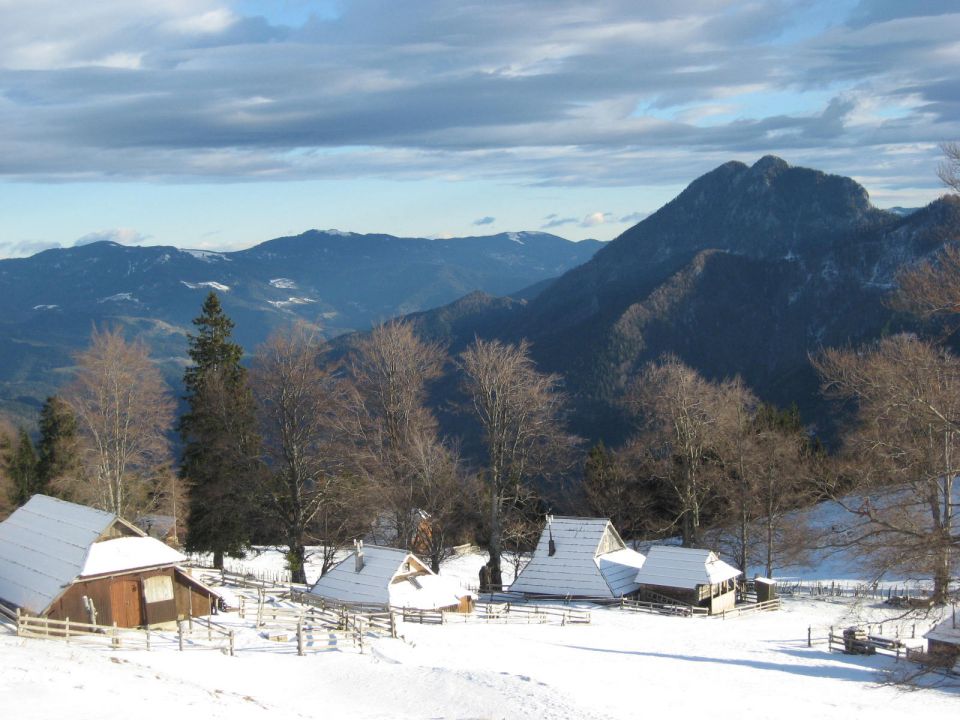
x=518 y=409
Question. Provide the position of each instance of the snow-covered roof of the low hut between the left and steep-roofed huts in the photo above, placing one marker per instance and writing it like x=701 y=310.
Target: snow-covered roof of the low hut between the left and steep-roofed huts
x=389 y=576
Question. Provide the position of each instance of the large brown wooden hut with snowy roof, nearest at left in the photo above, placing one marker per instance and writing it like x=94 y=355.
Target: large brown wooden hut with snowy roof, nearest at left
x=61 y=560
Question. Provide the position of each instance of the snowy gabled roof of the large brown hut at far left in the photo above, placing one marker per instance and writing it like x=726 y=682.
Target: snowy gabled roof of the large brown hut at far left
x=46 y=544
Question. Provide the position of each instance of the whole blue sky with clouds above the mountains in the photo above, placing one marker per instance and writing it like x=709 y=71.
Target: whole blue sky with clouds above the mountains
x=219 y=124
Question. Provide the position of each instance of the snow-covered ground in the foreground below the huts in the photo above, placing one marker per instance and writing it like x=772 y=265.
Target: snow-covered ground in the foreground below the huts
x=622 y=665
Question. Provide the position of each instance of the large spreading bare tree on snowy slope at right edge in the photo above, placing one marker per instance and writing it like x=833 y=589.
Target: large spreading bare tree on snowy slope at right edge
x=903 y=454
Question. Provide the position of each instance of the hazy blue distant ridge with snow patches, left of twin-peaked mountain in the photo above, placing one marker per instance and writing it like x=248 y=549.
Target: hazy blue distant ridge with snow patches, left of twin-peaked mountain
x=339 y=281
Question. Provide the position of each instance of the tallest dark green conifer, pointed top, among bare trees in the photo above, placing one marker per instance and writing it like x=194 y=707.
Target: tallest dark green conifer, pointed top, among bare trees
x=221 y=447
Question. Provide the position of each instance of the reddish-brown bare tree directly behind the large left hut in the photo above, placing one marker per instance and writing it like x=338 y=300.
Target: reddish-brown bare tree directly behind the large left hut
x=124 y=413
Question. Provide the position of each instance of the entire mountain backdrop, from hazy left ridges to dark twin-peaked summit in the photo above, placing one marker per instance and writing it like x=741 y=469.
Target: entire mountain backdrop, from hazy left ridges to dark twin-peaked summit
x=748 y=271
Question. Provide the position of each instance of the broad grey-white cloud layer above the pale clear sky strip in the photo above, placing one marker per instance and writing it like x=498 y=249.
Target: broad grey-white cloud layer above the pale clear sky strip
x=560 y=93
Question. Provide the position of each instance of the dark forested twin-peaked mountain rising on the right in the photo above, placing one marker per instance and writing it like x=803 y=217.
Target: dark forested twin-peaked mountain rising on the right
x=747 y=271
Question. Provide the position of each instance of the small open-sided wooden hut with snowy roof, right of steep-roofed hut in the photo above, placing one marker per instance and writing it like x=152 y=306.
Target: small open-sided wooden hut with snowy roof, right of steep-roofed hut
x=691 y=576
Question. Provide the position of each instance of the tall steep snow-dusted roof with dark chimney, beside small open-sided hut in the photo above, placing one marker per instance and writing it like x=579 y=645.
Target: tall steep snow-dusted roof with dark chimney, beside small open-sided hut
x=590 y=561
